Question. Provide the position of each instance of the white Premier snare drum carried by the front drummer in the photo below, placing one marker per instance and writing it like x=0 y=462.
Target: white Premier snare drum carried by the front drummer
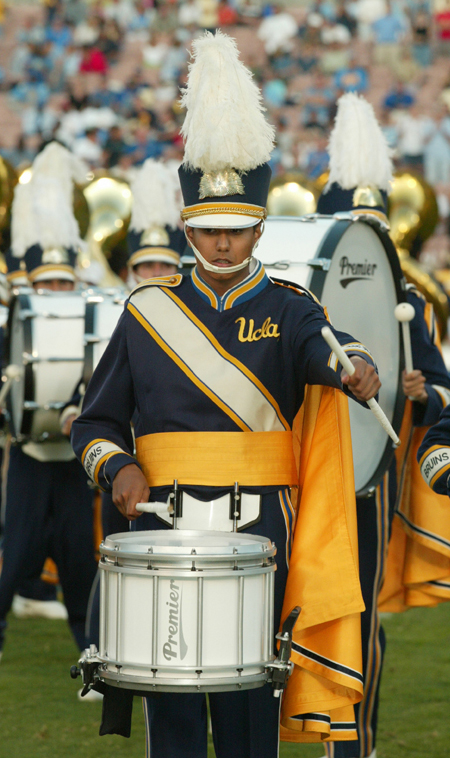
x=186 y=611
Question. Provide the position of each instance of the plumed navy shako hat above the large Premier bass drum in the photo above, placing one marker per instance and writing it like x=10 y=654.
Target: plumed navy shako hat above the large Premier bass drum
x=360 y=160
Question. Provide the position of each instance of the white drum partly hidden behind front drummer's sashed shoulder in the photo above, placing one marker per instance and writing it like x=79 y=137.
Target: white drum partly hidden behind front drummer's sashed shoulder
x=103 y=310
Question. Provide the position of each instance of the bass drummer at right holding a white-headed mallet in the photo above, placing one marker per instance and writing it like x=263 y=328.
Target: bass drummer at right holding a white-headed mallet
x=360 y=176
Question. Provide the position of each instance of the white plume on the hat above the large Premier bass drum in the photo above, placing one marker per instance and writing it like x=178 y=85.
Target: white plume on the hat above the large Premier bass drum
x=359 y=153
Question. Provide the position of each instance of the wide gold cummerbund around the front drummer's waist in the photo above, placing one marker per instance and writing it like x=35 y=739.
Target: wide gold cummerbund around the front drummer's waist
x=217 y=459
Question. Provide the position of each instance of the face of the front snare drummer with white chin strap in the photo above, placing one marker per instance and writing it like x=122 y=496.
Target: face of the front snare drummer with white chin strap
x=224 y=248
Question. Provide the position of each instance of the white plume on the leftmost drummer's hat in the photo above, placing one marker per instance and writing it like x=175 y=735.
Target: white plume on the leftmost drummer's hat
x=42 y=210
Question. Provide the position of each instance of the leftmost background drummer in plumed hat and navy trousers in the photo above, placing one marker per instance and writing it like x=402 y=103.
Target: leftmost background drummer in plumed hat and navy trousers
x=48 y=500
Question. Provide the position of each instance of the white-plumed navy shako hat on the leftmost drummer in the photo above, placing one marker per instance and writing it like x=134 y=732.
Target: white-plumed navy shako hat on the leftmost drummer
x=44 y=230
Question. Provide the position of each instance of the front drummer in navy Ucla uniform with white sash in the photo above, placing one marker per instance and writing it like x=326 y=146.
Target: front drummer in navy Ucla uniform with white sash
x=205 y=359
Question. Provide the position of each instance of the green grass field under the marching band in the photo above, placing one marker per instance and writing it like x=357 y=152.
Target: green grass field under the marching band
x=40 y=716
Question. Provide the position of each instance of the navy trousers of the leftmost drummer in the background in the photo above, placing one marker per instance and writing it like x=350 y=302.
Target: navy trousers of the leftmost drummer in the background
x=48 y=513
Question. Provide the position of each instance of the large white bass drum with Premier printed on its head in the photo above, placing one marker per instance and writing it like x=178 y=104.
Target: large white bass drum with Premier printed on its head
x=350 y=264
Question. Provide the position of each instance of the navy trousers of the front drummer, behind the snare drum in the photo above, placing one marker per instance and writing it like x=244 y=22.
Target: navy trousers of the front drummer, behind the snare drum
x=244 y=724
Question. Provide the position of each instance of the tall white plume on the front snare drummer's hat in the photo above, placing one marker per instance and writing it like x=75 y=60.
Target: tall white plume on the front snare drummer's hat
x=225 y=125
